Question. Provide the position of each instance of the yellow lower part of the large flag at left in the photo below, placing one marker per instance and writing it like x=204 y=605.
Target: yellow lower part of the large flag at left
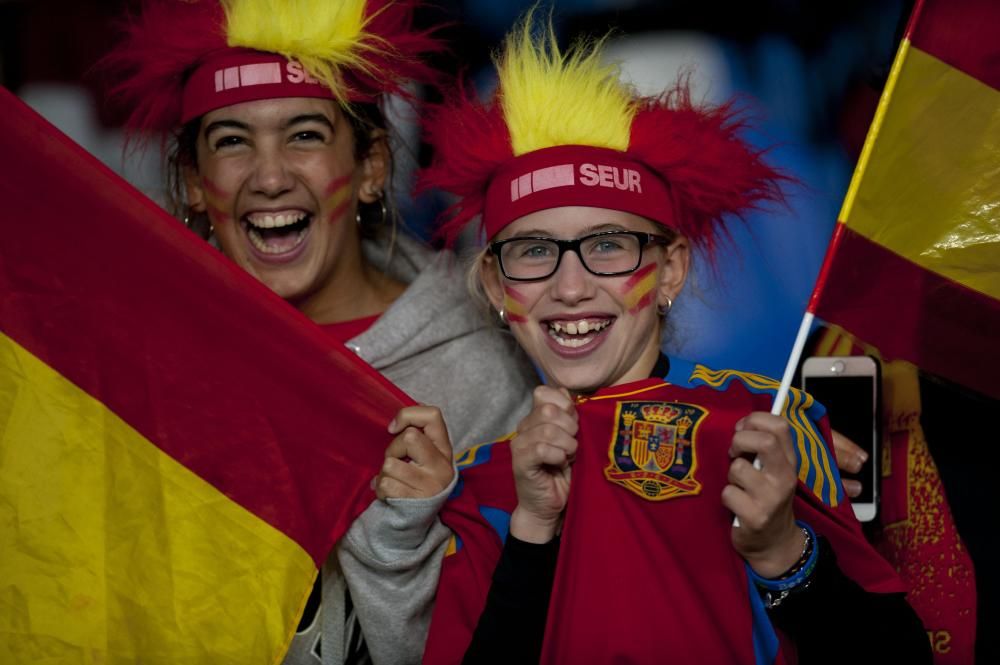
x=112 y=552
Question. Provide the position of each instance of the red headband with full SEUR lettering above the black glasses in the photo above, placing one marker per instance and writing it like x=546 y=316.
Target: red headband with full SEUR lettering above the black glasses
x=574 y=175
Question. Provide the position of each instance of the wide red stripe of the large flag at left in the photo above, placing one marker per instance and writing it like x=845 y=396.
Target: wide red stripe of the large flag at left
x=192 y=352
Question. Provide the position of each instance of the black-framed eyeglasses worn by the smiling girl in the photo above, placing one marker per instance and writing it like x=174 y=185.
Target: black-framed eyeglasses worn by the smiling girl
x=605 y=254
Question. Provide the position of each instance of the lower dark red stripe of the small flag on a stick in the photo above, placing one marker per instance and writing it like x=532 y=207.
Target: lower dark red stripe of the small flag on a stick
x=935 y=323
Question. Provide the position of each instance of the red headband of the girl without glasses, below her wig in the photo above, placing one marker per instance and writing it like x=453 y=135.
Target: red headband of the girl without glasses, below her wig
x=238 y=75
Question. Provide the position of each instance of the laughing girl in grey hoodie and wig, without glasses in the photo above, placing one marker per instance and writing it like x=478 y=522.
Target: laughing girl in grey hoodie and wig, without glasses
x=280 y=156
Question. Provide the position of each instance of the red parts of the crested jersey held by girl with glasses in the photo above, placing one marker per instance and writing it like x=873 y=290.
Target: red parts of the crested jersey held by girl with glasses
x=637 y=578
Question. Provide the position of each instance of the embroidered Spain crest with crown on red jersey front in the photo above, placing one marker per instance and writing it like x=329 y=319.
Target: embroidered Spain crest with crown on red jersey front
x=653 y=449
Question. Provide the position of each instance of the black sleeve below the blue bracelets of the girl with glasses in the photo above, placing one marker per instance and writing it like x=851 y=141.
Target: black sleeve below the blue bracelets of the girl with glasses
x=879 y=627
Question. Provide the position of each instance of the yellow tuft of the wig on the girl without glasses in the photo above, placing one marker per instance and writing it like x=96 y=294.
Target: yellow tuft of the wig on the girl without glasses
x=326 y=36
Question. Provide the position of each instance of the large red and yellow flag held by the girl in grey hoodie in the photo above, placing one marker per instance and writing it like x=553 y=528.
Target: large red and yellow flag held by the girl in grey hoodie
x=179 y=448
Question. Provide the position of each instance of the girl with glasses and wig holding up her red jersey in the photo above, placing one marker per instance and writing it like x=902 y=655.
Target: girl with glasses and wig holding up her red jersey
x=603 y=530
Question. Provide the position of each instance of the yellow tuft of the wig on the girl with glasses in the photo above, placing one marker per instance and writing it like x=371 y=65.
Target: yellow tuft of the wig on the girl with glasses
x=551 y=98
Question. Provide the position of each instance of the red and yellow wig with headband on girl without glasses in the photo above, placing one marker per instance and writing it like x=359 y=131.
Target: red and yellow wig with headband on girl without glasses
x=183 y=58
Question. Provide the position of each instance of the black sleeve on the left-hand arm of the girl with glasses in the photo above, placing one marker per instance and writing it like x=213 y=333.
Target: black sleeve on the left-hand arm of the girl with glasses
x=512 y=625
